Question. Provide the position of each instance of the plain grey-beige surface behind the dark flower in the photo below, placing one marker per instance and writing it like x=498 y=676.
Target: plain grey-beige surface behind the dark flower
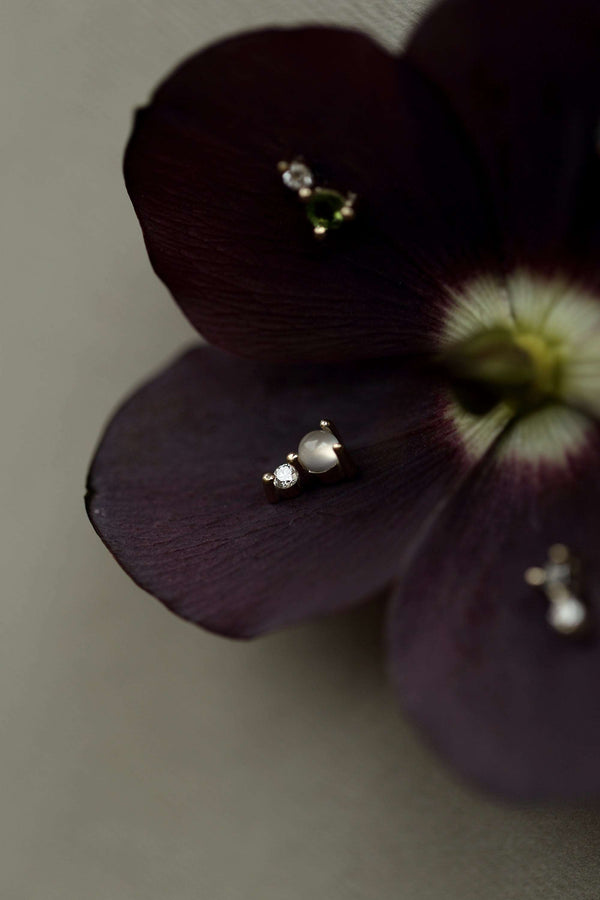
x=141 y=758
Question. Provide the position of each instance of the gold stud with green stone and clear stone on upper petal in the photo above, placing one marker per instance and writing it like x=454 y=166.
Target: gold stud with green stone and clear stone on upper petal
x=326 y=209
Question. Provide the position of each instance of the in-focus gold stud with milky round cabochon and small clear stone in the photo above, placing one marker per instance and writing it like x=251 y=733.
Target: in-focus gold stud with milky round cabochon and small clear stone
x=321 y=458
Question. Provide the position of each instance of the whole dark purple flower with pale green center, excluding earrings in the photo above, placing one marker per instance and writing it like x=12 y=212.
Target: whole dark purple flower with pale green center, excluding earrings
x=452 y=331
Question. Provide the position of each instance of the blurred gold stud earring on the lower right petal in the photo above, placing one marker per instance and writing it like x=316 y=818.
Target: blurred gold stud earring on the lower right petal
x=559 y=579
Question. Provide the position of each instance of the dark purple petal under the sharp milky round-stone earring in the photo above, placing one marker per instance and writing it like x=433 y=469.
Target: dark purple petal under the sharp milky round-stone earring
x=175 y=488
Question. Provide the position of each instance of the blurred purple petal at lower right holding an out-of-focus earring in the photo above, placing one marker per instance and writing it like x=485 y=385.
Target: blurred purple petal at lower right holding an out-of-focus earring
x=512 y=703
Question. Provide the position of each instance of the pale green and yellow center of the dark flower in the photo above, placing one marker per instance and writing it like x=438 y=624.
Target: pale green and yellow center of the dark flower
x=524 y=353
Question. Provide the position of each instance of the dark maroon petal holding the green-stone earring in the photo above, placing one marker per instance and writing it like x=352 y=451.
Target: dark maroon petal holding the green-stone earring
x=234 y=245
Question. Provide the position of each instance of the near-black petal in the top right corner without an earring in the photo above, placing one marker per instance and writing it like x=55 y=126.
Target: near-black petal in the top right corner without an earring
x=523 y=77
